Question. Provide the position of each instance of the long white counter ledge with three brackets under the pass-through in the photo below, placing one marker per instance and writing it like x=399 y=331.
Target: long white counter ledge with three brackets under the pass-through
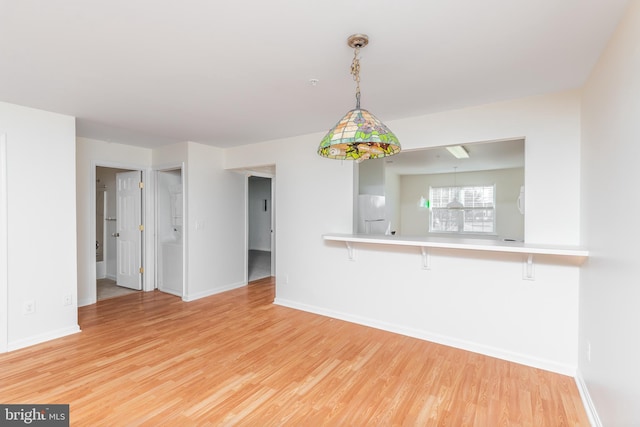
x=424 y=243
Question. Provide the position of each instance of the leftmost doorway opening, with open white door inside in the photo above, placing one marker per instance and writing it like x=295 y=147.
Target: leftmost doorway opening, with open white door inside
x=119 y=227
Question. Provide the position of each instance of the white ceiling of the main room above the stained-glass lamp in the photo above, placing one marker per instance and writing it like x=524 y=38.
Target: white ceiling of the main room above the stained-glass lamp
x=226 y=73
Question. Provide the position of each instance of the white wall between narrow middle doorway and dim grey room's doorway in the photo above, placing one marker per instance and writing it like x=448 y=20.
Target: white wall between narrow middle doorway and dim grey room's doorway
x=216 y=224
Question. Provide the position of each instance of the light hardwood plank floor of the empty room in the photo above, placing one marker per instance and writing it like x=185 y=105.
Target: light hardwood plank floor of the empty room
x=237 y=359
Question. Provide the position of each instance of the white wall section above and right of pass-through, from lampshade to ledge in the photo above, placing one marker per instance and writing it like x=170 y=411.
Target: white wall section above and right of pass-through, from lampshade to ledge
x=551 y=126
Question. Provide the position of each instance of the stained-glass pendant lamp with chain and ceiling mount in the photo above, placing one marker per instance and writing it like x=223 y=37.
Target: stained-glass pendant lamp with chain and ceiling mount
x=359 y=135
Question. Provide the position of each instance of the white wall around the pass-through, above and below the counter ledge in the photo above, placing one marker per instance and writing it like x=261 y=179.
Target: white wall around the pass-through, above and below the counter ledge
x=467 y=299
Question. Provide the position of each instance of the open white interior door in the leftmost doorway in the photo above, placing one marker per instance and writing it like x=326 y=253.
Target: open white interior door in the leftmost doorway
x=129 y=229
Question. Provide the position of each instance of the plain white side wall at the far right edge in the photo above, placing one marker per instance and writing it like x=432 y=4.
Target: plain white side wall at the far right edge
x=609 y=291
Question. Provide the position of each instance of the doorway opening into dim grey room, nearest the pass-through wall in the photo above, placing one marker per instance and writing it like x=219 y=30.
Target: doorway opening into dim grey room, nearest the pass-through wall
x=260 y=216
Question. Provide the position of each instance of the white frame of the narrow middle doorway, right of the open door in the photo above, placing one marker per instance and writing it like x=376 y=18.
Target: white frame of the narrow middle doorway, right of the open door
x=185 y=229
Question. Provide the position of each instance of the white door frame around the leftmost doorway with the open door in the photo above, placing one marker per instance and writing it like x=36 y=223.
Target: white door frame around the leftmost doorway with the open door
x=147 y=220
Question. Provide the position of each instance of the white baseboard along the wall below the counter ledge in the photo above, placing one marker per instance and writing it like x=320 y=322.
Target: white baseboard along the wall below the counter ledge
x=523 y=359
